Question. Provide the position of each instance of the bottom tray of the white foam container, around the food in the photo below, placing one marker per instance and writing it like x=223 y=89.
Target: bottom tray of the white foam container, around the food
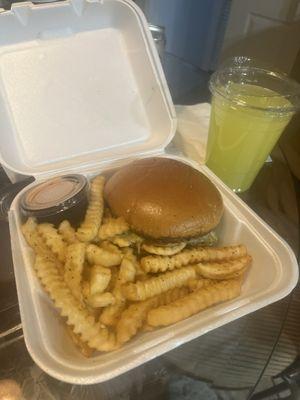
x=273 y=275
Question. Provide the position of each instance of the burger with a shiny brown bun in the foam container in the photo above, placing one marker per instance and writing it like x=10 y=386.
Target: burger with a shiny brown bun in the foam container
x=165 y=201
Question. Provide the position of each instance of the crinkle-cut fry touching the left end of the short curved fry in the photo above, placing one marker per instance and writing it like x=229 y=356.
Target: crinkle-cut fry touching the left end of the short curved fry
x=142 y=290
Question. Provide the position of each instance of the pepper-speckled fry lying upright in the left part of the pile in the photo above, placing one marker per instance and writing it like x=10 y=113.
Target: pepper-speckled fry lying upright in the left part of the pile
x=75 y=255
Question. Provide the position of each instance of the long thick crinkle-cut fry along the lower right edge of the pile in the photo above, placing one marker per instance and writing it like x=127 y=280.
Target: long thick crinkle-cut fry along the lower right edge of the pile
x=194 y=302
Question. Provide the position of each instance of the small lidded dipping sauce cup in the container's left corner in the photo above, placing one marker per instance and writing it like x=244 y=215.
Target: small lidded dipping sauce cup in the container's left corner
x=59 y=198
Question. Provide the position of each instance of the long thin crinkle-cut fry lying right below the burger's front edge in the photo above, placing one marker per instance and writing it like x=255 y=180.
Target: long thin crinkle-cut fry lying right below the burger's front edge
x=192 y=256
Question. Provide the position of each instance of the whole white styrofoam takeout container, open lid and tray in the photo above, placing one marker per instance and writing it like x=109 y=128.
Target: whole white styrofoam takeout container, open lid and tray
x=82 y=90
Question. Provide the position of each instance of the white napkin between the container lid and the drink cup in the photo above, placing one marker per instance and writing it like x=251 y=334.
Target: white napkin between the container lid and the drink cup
x=192 y=130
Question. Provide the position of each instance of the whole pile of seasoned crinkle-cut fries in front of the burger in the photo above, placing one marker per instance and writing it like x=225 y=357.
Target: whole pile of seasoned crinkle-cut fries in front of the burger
x=109 y=283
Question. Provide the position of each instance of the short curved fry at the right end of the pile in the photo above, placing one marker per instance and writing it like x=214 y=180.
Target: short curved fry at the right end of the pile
x=223 y=270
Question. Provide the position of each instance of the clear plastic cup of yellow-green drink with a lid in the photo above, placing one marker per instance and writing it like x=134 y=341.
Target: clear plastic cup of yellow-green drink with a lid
x=251 y=106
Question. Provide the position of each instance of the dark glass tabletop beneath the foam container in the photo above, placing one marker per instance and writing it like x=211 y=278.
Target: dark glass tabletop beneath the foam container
x=231 y=362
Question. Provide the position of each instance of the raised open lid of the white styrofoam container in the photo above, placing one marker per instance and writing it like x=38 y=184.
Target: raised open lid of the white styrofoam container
x=80 y=83
